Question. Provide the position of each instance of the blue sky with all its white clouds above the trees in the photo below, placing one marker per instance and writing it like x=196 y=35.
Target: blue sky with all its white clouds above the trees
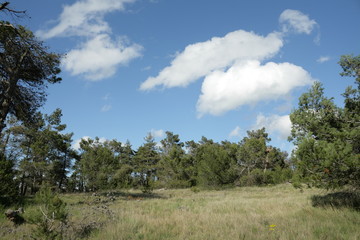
x=213 y=68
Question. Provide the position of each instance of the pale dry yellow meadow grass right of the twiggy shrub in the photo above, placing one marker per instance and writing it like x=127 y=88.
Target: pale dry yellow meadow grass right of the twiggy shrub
x=279 y=212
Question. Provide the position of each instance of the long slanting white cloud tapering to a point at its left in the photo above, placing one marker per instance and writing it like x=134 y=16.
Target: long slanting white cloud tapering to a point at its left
x=200 y=59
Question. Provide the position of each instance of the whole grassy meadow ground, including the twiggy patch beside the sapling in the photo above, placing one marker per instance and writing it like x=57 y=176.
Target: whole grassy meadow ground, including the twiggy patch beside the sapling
x=278 y=212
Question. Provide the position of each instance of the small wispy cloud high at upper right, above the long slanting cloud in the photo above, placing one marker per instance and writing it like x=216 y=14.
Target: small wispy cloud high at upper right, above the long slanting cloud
x=293 y=20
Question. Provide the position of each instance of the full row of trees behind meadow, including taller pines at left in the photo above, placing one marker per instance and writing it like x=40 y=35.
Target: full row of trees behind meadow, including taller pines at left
x=40 y=153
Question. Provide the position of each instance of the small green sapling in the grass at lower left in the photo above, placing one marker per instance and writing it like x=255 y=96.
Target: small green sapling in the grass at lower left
x=49 y=215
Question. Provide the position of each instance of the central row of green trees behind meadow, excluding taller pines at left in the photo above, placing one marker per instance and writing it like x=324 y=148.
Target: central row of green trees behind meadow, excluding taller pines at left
x=177 y=164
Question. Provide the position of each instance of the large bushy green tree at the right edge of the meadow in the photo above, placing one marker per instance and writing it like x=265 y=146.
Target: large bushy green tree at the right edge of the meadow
x=328 y=137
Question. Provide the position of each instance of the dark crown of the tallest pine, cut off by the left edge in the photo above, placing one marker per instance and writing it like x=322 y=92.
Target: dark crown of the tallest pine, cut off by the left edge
x=26 y=67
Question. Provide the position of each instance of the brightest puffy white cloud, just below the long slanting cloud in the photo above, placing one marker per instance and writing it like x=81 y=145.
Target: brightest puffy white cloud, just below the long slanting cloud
x=249 y=83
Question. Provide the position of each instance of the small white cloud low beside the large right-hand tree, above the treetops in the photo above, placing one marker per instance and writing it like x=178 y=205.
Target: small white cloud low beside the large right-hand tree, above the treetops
x=274 y=124
